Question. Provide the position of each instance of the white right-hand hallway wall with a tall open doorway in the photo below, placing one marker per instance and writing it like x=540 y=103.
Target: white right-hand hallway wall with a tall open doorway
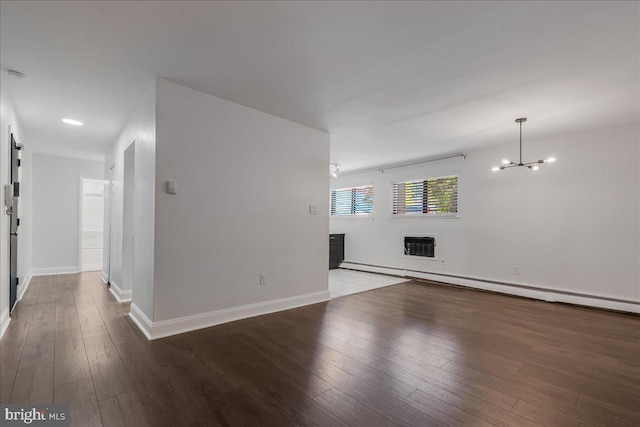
x=141 y=128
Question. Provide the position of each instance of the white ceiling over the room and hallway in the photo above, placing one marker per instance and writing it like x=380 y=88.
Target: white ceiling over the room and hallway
x=390 y=81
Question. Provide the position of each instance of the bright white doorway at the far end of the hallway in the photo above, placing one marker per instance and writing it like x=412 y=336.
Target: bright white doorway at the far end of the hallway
x=91 y=224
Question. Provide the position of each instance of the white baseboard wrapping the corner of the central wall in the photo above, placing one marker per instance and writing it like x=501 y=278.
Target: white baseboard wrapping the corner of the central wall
x=165 y=328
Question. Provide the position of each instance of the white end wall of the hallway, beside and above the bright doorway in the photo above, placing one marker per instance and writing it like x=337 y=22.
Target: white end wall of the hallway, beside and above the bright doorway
x=56 y=211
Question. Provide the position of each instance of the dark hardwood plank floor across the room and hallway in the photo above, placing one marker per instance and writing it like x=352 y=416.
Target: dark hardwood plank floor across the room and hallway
x=409 y=354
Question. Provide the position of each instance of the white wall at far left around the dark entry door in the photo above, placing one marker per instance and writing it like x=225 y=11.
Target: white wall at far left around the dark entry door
x=9 y=123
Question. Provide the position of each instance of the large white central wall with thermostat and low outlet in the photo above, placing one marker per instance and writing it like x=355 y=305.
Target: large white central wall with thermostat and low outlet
x=245 y=180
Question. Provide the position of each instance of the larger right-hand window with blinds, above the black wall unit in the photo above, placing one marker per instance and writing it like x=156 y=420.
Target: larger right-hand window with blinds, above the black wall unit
x=435 y=196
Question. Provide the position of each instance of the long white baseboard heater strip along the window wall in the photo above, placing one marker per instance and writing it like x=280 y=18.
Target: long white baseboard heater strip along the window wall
x=544 y=294
